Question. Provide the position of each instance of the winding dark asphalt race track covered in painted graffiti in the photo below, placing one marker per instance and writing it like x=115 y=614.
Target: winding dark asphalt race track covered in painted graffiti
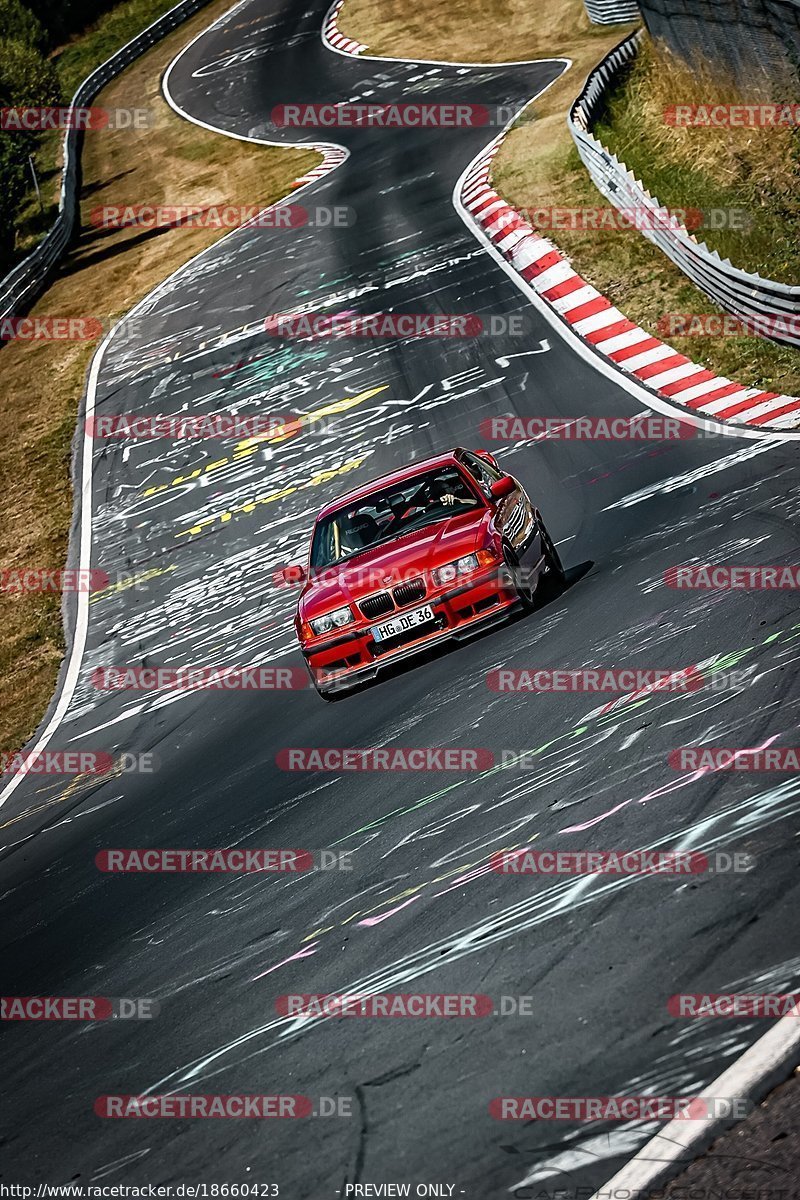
x=202 y=527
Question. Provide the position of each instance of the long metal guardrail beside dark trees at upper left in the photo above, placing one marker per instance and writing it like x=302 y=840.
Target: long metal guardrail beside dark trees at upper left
x=29 y=278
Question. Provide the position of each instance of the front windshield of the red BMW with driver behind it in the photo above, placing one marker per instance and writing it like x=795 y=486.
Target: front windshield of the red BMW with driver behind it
x=390 y=513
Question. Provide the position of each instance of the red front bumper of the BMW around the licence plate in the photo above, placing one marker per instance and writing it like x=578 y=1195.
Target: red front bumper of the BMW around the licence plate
x=461 y=613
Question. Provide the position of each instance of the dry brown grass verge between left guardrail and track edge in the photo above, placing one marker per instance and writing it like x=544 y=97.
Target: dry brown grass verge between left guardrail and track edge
x=106 y=274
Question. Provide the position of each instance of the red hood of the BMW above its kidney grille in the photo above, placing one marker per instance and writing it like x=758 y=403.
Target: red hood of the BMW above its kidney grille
x=423 y=550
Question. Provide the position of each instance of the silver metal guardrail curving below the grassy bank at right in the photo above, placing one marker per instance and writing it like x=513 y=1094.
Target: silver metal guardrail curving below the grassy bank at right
x=737 y=292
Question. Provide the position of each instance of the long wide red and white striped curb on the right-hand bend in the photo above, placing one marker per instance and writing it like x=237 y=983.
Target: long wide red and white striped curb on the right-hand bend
x=609 y=331
